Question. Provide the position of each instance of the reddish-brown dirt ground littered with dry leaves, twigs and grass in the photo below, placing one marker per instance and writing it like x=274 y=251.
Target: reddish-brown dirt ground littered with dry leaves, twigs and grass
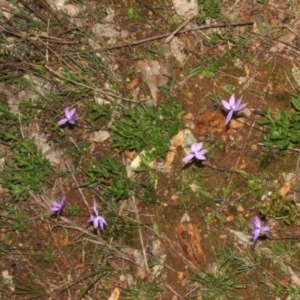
x=181 y=231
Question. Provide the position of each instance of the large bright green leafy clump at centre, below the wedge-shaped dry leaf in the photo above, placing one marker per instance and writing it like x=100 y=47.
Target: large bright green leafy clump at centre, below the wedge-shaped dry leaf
x=148 y=128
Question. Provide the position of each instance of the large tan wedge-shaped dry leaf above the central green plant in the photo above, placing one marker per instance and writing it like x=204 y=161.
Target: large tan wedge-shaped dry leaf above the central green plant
x=153 y=74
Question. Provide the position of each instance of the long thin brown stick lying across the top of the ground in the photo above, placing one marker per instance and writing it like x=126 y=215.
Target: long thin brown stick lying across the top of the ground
x=164 y=35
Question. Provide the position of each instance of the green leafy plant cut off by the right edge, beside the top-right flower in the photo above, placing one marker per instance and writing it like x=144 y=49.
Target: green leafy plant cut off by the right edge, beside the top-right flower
x=284 y=127
